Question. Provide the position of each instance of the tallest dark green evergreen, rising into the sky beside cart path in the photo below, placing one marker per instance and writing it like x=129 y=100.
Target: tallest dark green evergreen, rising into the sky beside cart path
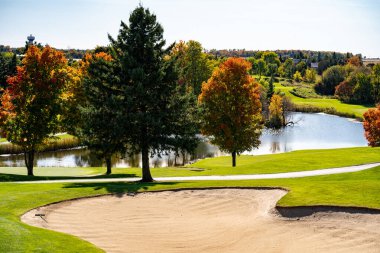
x=149 y=85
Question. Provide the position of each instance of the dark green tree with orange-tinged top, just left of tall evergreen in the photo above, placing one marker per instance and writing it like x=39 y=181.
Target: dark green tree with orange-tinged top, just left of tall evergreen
x=101 y=128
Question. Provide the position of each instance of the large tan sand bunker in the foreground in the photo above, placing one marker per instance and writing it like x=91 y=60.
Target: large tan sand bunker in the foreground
x=223 y=220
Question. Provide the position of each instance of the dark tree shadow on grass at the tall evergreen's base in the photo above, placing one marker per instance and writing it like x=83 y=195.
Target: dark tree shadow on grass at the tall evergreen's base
x=119 y=188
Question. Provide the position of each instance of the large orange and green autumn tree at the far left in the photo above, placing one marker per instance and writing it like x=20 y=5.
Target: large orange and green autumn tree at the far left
x=31 y=104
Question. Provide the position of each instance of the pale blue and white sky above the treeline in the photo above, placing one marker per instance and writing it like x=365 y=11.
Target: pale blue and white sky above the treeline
x=331 y=25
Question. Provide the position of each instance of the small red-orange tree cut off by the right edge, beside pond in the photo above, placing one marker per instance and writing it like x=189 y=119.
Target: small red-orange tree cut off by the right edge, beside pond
x=372 y=126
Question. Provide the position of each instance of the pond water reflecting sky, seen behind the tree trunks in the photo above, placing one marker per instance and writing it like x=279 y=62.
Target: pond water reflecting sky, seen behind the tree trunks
x=310 y=131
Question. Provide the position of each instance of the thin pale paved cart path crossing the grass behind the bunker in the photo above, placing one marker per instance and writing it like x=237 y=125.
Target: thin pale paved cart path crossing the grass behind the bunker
x=309 y=173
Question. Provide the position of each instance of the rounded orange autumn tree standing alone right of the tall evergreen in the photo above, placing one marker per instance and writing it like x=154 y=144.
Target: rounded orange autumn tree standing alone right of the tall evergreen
x=231 y=107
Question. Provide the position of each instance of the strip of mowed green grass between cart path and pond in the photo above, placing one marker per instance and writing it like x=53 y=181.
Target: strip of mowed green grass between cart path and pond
x=262 y=164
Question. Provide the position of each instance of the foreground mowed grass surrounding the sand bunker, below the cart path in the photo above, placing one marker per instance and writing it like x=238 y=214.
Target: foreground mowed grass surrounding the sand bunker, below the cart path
x=351 y=189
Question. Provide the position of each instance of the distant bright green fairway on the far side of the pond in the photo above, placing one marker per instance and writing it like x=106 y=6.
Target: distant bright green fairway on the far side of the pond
x=339 y=106
